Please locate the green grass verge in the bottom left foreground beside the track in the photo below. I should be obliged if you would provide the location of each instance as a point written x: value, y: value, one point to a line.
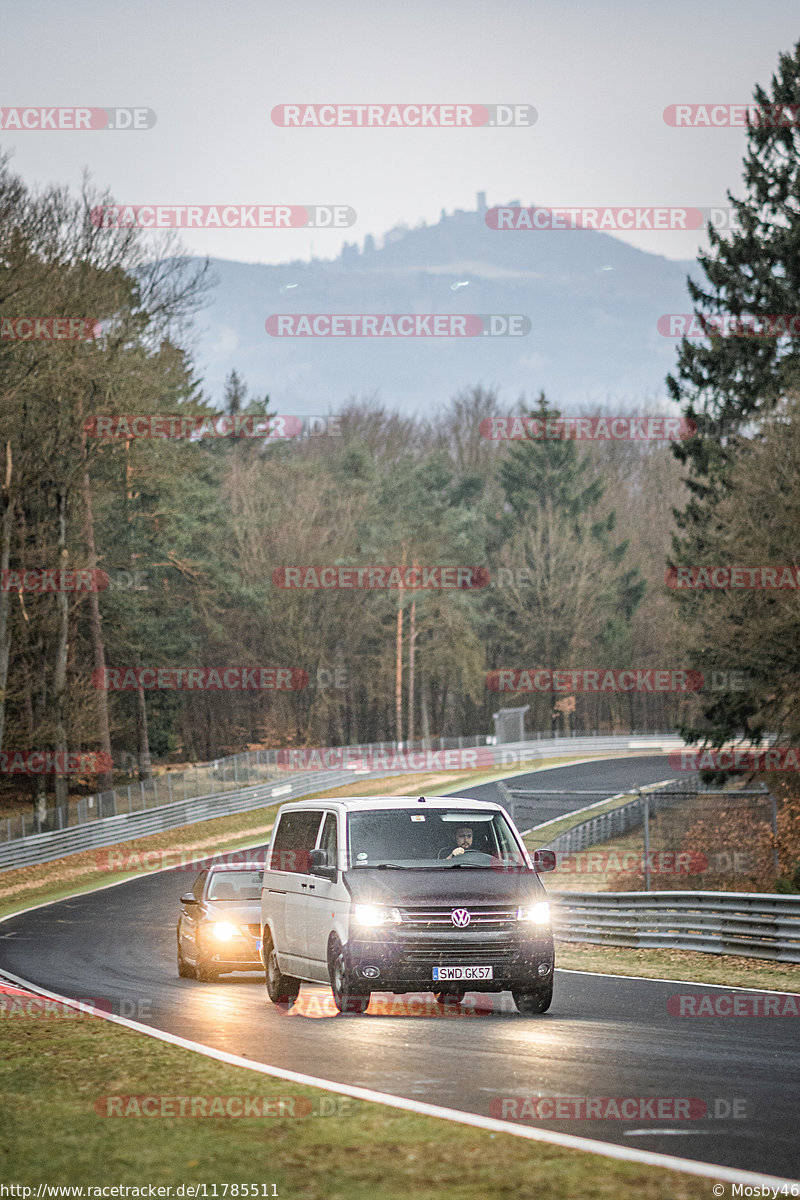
x: 56, y: 1070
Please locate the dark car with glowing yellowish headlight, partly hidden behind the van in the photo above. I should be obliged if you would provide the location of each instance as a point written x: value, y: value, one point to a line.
x: 219, y: 929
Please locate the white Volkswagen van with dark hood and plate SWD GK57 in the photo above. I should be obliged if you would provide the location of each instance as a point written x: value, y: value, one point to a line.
x: 405, y: 895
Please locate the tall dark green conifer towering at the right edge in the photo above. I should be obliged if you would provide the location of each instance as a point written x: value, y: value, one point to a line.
x: 731, y: 385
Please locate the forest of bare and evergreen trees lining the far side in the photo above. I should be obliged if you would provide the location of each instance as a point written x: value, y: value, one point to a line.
x: 576, y: 536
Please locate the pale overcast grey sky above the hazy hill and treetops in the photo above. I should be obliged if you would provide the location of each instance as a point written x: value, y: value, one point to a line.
x: 599, y: 74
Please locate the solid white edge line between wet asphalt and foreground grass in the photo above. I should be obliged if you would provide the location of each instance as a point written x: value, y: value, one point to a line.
x: 570, y: 1142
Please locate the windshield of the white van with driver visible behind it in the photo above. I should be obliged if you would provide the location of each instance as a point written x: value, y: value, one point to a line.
x: 435, y: 838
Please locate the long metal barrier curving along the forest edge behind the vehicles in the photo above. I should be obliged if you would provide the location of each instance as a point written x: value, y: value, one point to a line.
x: 109, y: 831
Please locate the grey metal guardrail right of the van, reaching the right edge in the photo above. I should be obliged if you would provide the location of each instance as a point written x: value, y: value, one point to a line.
x: 759, y: 926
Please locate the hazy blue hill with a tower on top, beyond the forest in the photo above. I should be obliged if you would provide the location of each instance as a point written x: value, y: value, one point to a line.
x: 593, y: 302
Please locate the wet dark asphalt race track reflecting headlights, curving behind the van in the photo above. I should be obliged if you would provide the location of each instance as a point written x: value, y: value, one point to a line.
x: 604, y: 1036
